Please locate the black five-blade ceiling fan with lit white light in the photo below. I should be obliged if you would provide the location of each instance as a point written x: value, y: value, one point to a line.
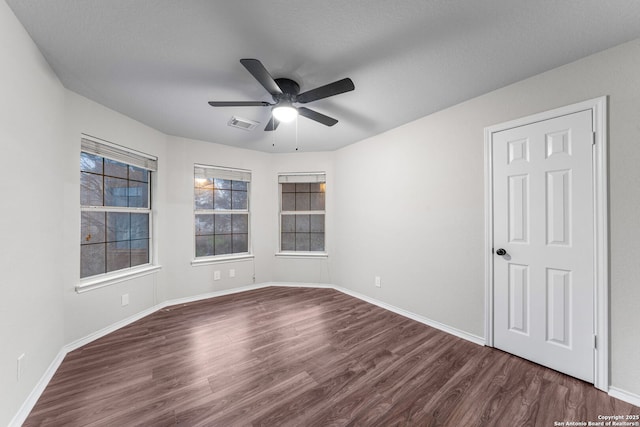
x: 285, y: 93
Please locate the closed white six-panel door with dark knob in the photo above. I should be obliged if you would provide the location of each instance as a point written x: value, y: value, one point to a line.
x: 544, y: 221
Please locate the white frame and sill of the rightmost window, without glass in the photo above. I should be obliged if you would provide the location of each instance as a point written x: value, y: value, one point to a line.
x: 301, y: 178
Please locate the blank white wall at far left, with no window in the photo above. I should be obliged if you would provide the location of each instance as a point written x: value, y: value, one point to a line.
x: 31, y: 205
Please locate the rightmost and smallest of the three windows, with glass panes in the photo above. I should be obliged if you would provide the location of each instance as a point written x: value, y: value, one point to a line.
x: 302, y: 212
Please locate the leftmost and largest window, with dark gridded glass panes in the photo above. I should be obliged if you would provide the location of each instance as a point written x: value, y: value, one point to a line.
x: 115, y: 208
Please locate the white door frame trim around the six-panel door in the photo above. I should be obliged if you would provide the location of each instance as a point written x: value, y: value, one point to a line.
x: 598, y: 108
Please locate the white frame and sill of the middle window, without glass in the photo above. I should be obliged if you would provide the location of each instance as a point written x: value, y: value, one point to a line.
x: 227, y: 173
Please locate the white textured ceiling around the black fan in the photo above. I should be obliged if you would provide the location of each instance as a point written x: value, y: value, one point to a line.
x: 160, y: 61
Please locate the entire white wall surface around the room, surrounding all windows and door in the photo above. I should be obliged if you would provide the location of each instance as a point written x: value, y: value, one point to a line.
x: 406, y: 205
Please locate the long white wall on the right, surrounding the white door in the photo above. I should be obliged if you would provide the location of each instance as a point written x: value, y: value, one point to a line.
x: 410, y: 202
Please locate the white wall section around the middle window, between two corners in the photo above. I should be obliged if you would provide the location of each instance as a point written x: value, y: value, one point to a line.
x: 185, y: 280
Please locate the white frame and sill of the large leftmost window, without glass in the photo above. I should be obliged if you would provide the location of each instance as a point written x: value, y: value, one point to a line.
x: 130, y: 157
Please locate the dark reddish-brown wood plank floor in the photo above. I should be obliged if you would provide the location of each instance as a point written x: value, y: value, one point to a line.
x: 303, y: 357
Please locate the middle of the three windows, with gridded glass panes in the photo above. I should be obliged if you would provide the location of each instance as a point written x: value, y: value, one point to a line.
x: 221, y: 211
